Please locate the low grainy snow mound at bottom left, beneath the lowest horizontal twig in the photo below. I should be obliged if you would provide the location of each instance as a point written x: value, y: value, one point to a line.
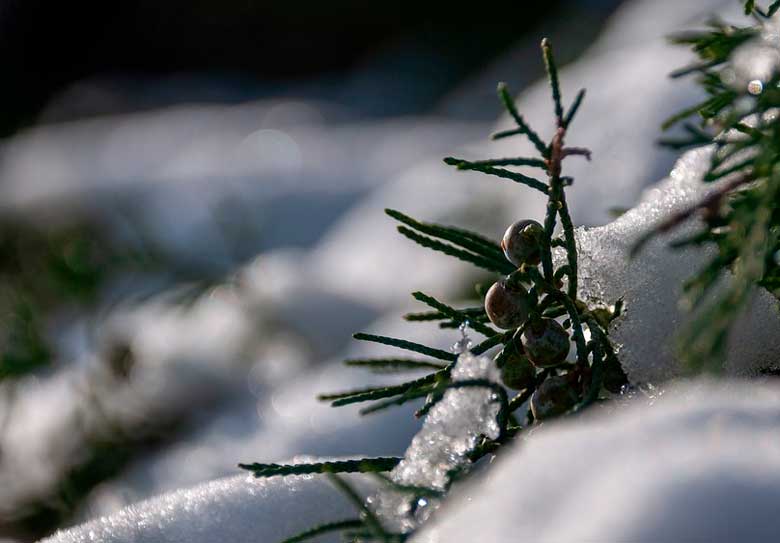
x: 235, y: 509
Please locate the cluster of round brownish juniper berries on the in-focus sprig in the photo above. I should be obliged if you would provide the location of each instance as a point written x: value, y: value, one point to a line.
x: 539, y: 343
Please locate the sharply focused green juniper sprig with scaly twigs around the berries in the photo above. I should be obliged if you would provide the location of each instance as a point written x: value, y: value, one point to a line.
x: 547, y: 294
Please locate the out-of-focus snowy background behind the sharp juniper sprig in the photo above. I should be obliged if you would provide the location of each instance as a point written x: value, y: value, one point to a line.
x: 191, y: 221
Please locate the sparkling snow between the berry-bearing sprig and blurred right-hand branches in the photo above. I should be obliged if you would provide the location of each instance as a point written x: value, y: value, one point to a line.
x: 651, y: 283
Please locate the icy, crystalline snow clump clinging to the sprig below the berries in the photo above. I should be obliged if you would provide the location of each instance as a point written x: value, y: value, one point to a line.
x: 451, y: 431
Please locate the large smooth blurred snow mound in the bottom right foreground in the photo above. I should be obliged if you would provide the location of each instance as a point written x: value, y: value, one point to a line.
x: 701, y: 464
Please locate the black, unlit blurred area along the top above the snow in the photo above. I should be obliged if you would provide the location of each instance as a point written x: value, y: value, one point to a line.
x: 256, y: 48
